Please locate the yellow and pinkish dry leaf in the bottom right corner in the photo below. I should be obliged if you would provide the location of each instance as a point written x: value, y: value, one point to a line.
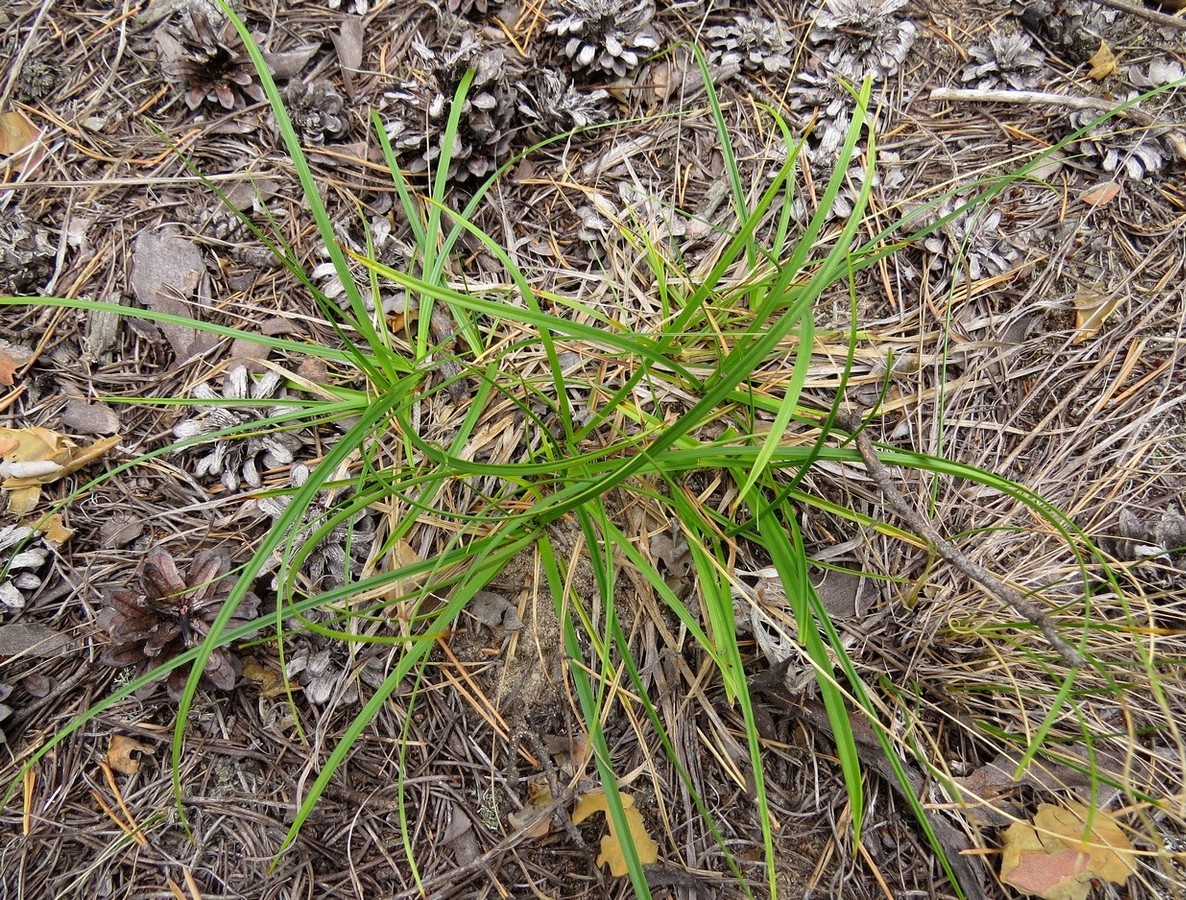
x: 1055, y: 861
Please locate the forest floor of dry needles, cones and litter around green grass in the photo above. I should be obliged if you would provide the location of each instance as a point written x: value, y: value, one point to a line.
x: 1040, y: 336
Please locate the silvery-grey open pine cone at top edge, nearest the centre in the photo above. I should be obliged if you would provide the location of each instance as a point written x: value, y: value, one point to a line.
x: 607, y: 36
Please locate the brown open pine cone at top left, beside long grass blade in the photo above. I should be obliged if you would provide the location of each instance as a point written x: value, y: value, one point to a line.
x: 211, y: 62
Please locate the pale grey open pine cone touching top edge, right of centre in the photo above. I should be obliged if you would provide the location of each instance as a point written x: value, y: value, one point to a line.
x: 863, y: 39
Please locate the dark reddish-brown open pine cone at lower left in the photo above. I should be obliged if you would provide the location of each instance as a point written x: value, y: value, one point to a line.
x: 170, y: 615
